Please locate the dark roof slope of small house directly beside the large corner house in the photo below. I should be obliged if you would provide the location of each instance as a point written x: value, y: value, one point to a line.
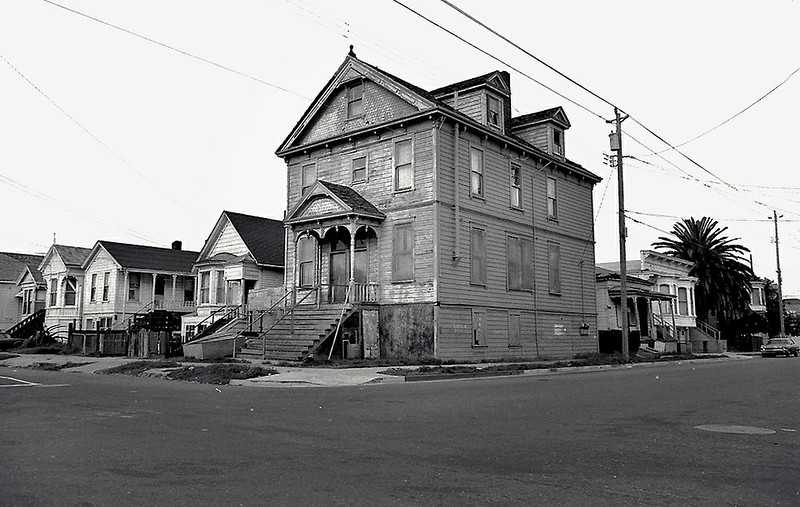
x: 263, y: 237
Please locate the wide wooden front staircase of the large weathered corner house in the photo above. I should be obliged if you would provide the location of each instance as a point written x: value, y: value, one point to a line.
x: 297, y: 335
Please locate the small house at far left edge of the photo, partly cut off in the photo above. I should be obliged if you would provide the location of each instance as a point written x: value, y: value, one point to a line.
x: 19, y: 301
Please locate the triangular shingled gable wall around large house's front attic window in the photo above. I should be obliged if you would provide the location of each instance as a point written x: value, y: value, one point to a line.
x: 380, y: 105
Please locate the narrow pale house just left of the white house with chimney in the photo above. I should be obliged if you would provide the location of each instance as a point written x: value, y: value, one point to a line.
x: 62, y: 271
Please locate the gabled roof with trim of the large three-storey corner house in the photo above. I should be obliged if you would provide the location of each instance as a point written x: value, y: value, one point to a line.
x: 426, y: 102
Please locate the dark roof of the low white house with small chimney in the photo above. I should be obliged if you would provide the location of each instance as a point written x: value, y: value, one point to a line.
x: 147, y: 258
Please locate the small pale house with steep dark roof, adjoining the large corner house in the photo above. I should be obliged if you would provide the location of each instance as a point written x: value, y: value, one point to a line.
x: 241, y: 265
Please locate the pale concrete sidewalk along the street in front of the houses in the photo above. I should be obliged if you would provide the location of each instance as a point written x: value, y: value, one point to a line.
x: 292, y: 376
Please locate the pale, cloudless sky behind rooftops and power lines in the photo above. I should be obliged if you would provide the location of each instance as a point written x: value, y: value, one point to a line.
x: 145, y: 131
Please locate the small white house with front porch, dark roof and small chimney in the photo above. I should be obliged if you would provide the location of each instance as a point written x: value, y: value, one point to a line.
x: 124, y: 281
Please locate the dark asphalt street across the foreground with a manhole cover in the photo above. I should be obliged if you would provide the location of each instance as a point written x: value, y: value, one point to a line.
x: 635, y: 436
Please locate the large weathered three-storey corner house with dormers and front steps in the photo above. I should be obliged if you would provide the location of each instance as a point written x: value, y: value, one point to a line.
x: 432, y: 224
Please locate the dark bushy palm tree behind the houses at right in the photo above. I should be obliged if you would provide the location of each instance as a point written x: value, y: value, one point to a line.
x: 723, y: 274
